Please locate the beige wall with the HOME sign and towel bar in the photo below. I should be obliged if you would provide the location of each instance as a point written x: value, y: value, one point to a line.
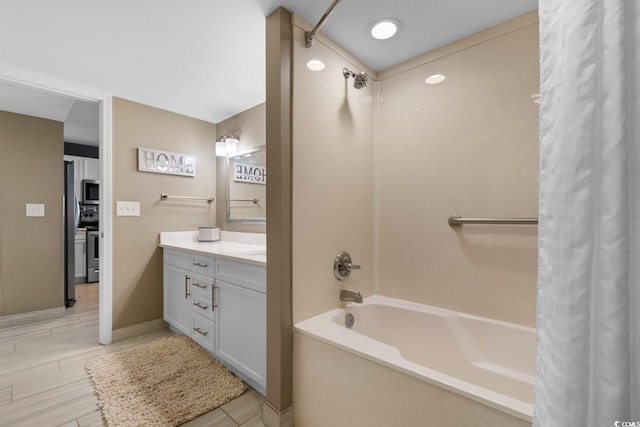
x: 137, y: 260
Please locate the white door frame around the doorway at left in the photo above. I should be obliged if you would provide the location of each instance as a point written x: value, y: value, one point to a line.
x: 77, y: 91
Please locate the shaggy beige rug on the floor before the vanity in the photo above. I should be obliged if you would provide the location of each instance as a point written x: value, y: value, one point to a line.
x: 163, y: 383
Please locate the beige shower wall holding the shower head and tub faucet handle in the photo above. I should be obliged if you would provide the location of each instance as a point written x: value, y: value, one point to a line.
x: 332, y: 177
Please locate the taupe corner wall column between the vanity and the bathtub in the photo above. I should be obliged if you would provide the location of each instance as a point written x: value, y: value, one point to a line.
x: 279, y: 36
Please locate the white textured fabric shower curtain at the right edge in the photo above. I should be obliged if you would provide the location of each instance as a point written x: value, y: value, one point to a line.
x: 588, y: 318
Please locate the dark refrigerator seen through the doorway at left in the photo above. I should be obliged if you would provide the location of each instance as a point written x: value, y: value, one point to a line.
x: 71, y: 218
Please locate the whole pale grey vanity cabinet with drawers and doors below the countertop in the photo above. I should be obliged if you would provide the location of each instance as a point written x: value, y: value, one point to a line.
x: 221, y: 305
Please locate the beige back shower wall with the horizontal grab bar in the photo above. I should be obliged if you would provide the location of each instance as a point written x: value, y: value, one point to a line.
x: 467, y: 146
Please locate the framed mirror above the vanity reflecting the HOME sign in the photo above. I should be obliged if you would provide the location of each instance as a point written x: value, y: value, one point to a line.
x: 247, y: 186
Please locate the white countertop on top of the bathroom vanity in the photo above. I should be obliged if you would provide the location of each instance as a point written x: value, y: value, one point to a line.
x: 250, y: 248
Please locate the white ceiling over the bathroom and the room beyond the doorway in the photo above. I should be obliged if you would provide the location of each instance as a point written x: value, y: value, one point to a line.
x: 202, y: 58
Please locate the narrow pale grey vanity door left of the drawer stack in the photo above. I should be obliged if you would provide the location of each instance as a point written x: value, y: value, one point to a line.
x: 177, y: 298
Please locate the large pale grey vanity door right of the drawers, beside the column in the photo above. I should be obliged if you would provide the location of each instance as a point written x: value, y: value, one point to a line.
x: 241, y: 336
